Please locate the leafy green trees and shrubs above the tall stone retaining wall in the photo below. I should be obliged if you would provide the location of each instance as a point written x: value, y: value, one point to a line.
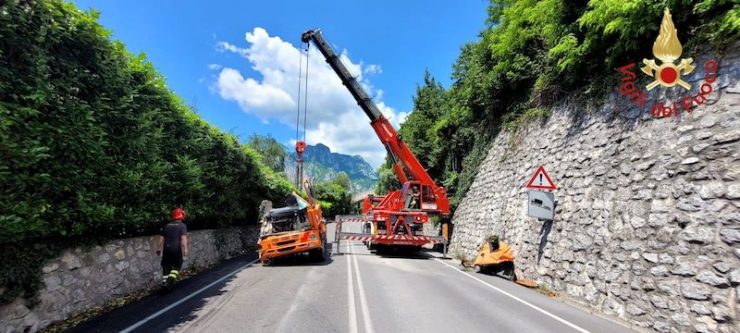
x: 531, y: 55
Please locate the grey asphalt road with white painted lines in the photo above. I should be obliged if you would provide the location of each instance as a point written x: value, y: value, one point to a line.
x: 353, y: 292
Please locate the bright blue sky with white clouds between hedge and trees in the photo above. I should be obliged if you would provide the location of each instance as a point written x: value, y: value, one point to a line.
x: 236, y: 62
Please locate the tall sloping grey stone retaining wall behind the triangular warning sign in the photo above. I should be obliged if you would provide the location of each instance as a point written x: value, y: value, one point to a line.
x: 647, y: 221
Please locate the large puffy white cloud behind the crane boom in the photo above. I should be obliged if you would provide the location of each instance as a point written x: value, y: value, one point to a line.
x: 333, y: 116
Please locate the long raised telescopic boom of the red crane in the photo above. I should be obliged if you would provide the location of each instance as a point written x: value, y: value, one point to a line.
x: 397, y: 149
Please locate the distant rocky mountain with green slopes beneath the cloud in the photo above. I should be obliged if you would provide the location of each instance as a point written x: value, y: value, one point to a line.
x: 320, y: 164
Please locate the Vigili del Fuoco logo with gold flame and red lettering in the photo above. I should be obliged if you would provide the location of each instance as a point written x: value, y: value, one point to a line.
x: 667, y: 48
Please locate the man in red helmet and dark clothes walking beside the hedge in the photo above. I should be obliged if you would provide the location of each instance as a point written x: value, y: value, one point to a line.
x: 173, y: 245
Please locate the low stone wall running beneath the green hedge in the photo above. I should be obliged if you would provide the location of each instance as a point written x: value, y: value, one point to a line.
x: 82, y: 279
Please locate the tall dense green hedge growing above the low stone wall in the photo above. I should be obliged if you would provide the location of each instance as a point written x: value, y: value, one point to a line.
x: 95, y: 146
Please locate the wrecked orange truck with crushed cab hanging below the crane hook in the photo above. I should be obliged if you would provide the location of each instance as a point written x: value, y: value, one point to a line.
x: 294, y: 229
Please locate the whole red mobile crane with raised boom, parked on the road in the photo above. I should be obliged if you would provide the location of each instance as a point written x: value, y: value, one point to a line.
x: 397, y: 218
